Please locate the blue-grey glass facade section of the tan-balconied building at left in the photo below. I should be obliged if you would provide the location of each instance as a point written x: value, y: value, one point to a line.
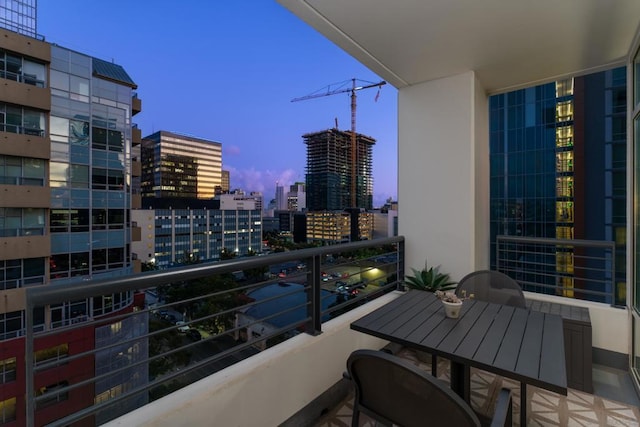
x: 90, y: 167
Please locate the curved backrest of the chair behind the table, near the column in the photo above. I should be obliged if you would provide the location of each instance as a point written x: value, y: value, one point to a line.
x: 491, y: 286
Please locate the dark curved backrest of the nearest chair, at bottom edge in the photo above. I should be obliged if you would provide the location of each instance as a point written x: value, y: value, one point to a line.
x: 392, y: 390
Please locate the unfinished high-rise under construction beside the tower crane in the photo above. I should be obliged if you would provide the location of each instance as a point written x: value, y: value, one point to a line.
x: 333, y: 170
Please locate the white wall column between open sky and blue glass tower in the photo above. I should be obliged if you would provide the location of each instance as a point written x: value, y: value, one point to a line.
x: 443, y: 174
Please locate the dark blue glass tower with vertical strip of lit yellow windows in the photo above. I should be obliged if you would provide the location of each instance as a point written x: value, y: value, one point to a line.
x: 558, y: 167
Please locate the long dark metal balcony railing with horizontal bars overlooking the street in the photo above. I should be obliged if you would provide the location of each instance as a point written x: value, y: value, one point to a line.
x: 196, y: 320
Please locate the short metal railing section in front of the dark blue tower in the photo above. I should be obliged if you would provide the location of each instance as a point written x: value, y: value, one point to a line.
x: 572, y: 268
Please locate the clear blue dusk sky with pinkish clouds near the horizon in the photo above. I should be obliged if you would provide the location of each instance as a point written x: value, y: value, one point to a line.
x: 226, y: 71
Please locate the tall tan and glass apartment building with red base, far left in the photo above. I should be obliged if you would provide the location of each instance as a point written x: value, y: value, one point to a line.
x: 66, y: 167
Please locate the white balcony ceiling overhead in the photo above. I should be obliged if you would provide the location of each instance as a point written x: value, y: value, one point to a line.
x: 509, y: 43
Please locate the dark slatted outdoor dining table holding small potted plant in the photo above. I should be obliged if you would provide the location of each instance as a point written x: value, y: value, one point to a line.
x: 516, y: 343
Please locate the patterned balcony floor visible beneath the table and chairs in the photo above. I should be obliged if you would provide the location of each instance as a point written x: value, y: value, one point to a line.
x: 614, y: 402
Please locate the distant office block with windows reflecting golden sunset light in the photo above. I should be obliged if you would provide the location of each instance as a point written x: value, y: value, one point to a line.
x: 175, y: 165
